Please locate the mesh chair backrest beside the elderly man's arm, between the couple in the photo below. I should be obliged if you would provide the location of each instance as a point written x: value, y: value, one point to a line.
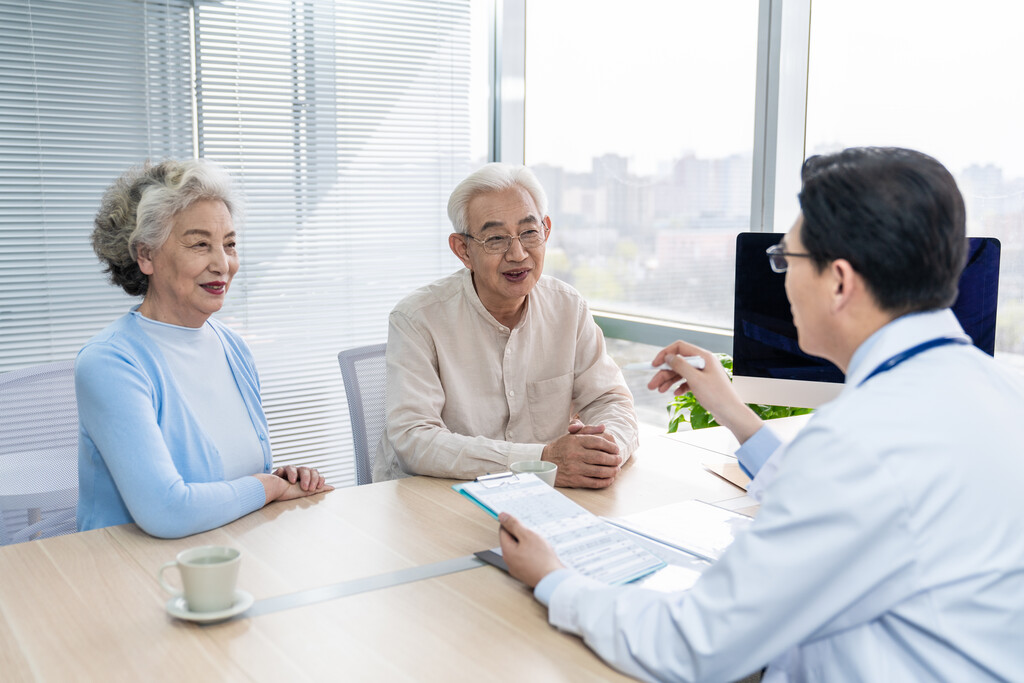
x: 364, y: 370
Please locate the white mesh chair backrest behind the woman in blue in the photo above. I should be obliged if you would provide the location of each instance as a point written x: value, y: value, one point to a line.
x: 38, y: 452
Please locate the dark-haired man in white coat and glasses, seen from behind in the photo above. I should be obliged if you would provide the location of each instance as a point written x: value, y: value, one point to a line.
x: 888, y: 545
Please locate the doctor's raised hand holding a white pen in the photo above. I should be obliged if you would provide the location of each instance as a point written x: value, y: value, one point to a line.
x: 711, y: 387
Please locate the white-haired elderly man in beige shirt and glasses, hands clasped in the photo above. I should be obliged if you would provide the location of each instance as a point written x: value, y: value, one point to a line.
x: 498, y: 363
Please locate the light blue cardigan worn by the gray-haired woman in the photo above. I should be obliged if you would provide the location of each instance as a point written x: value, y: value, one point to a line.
x: 143, y: 456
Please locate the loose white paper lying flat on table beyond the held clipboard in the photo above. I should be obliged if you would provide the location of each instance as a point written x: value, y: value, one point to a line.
x: 695, y: 527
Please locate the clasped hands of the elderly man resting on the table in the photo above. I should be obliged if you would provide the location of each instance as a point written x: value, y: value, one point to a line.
x: 587, y: 457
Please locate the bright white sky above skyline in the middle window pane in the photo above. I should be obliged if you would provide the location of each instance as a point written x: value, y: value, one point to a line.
x: 653, y: 82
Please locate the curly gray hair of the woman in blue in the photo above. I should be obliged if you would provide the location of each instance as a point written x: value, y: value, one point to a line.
x: 139, y: 209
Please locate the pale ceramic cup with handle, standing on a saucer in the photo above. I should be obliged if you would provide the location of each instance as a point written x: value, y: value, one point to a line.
x: 208, y: 575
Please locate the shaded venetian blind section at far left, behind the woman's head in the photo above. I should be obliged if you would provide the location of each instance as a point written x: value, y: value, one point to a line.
x: 87, y: 91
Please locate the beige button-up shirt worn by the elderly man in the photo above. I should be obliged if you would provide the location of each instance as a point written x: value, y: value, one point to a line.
x: 467, y: 397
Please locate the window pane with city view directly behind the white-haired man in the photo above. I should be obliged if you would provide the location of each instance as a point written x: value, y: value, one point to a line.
x: 639, y: 123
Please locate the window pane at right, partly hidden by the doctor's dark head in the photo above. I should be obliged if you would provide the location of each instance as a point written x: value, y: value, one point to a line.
x: 943, y: 79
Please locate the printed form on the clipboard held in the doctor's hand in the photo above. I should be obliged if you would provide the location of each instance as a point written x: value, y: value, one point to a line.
x: 582, y: 540
